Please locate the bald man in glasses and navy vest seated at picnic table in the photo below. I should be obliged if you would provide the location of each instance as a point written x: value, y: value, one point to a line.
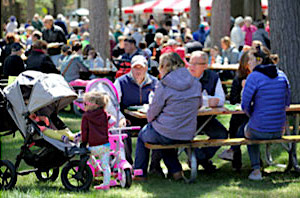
x: 213, y: 96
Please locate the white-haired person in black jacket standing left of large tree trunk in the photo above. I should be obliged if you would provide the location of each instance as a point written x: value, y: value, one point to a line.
x: 55, y: 35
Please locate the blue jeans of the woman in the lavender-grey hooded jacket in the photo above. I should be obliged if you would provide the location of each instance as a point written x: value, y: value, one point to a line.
x: 150, y: 135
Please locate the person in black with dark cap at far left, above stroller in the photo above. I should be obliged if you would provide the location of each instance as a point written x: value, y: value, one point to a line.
x: 13, y: 64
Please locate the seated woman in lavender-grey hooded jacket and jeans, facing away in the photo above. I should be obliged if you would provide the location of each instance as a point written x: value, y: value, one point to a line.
x: 172, y: 115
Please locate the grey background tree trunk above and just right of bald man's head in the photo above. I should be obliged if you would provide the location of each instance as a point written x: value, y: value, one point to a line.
x: 220, y: 23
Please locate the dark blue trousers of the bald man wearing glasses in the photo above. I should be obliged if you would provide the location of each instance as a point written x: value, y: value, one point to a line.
x: 215, y: 130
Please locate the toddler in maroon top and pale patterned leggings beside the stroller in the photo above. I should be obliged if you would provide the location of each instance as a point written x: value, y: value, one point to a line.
x: 94, y: 131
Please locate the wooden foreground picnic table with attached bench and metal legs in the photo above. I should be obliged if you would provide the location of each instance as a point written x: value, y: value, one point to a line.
x: 288, y: 142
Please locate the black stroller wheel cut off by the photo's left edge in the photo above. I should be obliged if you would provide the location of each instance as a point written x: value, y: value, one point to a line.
x: 8, y: 176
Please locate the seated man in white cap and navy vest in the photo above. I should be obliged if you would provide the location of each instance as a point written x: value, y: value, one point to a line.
x: 134, y: 89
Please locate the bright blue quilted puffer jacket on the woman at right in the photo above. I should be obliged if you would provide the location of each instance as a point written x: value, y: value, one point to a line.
x: 268, y: 111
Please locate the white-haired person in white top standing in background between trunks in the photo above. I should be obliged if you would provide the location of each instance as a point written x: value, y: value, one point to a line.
x: 237, y: 35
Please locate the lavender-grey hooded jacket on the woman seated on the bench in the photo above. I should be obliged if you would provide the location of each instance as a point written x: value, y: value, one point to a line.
x: 173, y: 111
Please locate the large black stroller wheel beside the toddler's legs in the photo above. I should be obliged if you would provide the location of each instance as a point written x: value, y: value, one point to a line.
x: 73, y: 180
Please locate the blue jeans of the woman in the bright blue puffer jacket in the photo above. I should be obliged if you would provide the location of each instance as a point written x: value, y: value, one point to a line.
x: 253, y: 149
